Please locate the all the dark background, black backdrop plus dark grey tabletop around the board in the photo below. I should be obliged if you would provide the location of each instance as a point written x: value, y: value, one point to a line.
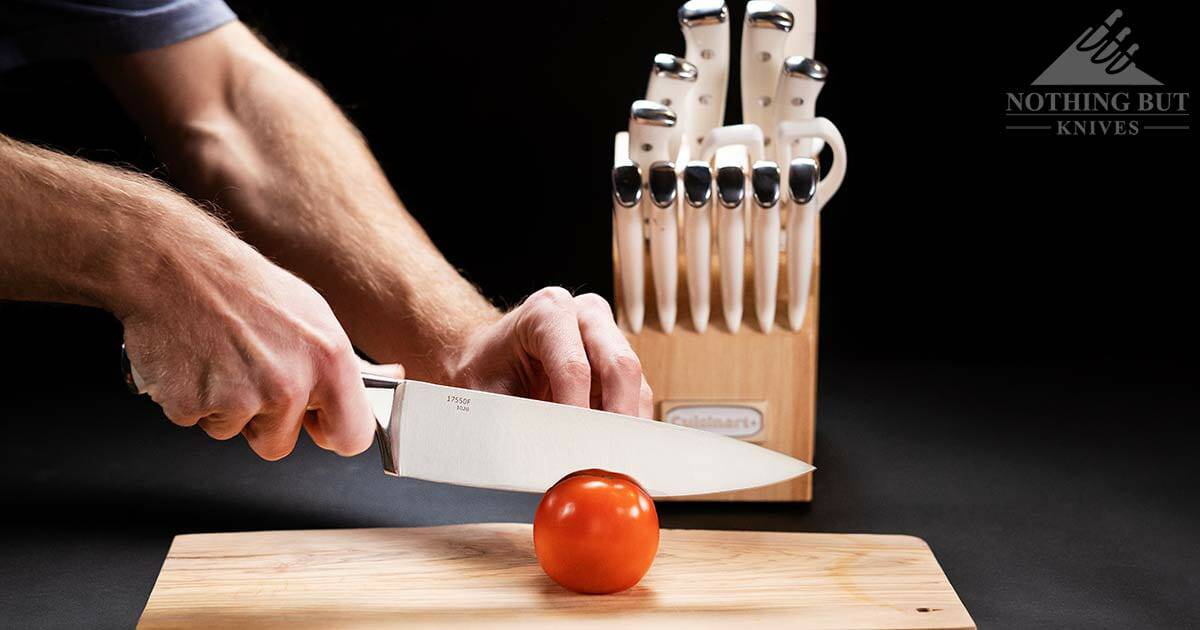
x: 1007, y: 319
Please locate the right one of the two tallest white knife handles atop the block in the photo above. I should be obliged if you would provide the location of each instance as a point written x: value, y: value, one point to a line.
x: 764, y: 37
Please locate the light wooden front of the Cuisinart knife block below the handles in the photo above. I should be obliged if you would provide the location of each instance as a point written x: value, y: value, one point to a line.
x: 773, y: 373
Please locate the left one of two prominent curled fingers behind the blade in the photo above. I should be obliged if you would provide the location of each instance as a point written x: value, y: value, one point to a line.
x: 549, y: 332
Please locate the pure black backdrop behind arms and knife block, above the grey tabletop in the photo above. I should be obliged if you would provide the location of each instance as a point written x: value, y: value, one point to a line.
x: 951, y: 239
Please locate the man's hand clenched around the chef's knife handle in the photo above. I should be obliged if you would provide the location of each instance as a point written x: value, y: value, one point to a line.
x: 242, y: 347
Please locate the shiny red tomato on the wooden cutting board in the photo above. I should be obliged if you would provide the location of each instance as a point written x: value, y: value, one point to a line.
x: 596, y: 532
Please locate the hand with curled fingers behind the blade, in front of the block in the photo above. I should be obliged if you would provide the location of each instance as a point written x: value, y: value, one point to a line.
x: 557, y: 349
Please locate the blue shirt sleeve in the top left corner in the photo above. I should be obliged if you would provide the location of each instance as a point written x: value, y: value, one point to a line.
x: 32, y: 31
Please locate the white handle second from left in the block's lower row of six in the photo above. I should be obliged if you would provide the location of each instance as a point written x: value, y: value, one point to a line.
x: 664, y: 188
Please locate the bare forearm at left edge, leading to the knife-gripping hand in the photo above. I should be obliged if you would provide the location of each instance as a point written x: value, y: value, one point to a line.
x: 85, y: 233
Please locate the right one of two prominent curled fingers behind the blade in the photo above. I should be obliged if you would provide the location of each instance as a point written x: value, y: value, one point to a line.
x: 611, y: 357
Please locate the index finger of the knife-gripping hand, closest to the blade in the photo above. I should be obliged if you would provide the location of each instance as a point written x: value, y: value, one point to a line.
x: 344, y: 422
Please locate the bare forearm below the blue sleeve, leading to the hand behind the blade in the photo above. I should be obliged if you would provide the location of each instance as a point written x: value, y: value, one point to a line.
x: 301, y: 184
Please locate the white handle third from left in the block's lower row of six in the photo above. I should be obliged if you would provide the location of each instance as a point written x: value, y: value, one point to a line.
x: 698, y: 188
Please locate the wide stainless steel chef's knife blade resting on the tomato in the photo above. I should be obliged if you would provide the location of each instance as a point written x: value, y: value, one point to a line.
x: 476, y: 439
